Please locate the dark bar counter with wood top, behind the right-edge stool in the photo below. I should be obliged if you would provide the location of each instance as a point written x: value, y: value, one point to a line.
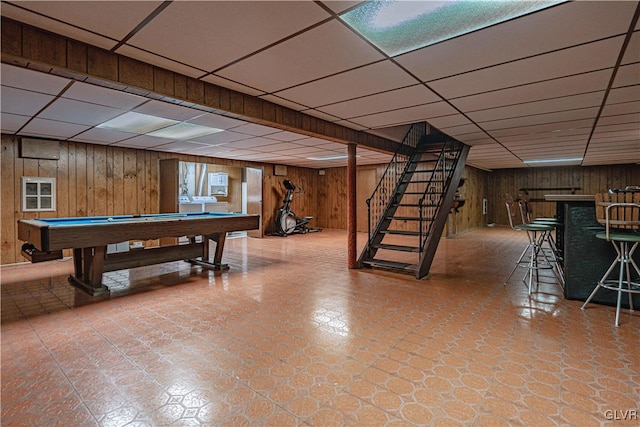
x: 585, y: 258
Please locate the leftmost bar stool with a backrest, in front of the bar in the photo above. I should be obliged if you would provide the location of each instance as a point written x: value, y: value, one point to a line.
x: 533, y: 248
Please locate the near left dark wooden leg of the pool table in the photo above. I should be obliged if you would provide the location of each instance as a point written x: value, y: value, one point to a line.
x: 88, y: 265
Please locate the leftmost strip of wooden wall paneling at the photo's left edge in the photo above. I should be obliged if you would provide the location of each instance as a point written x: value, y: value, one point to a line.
x: 8, y: 177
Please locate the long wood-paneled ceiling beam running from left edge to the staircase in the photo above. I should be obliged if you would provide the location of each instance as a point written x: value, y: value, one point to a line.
x: 30, y: 47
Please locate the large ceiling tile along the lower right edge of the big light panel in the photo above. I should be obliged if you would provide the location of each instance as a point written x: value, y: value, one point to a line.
x: 533, y: 34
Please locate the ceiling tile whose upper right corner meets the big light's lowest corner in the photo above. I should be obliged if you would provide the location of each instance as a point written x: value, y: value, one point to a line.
x: 375, y: 78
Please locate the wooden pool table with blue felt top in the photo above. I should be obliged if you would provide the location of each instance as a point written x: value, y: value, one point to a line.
x: 89, y: 237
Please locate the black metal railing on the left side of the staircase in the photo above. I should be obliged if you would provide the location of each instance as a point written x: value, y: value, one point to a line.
x: 384, y: 192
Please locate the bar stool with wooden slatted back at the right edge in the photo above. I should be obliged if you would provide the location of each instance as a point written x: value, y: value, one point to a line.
x: 620, y: 214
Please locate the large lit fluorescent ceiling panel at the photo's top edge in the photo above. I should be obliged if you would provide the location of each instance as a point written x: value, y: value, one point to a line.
x: 398, y: 27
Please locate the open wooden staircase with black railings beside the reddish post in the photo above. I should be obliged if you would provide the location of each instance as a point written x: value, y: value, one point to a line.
x: 409, y: 207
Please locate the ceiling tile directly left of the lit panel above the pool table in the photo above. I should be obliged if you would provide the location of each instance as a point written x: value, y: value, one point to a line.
x: 82, y: 113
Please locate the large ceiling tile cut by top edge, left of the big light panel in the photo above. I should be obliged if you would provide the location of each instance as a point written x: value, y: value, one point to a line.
x: 214, y: 33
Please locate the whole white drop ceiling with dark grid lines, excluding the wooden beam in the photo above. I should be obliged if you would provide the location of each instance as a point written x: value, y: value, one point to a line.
x: 563, y: 82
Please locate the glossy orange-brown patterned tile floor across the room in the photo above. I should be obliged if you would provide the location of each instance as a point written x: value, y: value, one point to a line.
x: 290, y: 336
